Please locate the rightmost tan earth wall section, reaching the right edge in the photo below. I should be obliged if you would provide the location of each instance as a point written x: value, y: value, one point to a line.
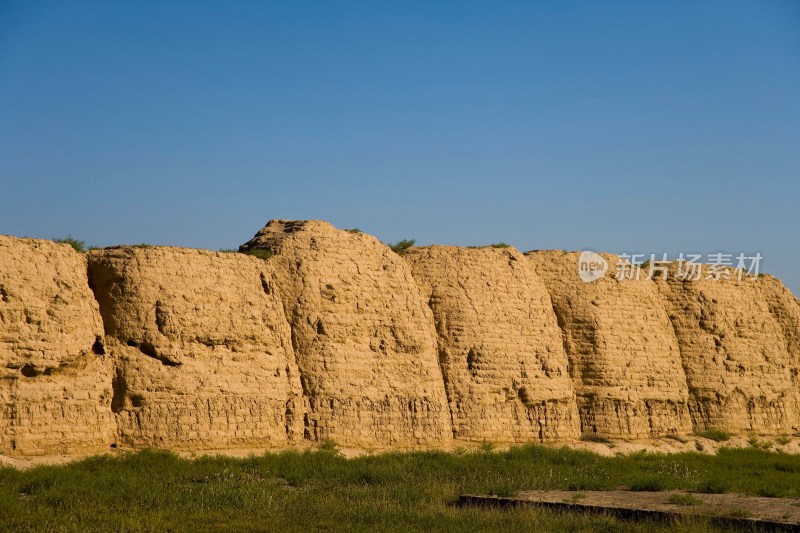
x: 738, y: 342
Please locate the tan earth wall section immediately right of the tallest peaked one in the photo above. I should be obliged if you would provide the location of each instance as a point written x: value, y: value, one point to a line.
x: 500, y: 348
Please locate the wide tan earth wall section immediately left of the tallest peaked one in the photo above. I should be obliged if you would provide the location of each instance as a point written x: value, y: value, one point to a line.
x: 202, y: 349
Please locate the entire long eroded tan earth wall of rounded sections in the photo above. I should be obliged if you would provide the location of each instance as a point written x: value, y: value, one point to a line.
x: 329, y: 334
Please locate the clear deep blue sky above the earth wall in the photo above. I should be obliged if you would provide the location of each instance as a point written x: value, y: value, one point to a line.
x: 616, y: 126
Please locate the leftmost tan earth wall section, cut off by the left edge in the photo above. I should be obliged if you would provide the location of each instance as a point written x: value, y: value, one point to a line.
x: 55, y: 376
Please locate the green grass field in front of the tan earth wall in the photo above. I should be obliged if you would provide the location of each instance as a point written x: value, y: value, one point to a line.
x: 302, y: 491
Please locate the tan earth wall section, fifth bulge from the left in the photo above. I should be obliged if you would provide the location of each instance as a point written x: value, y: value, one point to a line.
x: 624, y: 357
